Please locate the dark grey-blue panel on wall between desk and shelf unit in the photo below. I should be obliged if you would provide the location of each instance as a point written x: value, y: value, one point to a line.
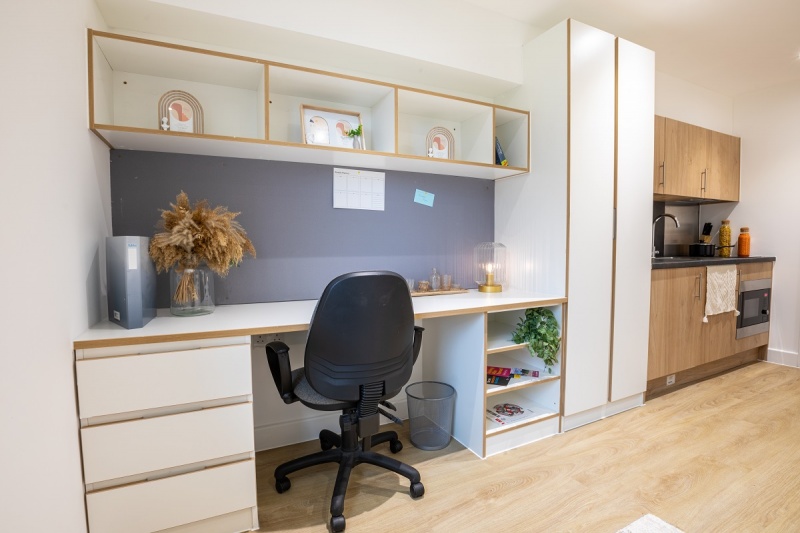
x: 301, y: 241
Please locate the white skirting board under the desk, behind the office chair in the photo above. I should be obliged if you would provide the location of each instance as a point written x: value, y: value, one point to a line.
x: 269, y: 436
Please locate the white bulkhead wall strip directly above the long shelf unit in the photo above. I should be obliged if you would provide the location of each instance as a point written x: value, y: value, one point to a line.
x: 471, y: 39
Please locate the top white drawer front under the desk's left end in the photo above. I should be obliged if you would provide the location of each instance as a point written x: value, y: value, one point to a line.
x: 135, y: 382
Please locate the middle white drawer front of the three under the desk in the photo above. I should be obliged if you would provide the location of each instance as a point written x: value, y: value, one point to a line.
x: 113, y: 451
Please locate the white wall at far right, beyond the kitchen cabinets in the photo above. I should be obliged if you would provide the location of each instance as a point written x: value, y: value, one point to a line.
x: 768, y: 124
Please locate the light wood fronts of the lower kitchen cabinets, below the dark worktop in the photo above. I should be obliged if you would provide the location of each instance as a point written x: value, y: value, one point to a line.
x: 679, y: 339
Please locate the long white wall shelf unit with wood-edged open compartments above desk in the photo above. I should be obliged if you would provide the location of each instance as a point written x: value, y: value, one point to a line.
x: 252, y: 109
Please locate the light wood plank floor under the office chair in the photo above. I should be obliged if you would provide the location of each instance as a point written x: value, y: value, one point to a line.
x: 718, y: 456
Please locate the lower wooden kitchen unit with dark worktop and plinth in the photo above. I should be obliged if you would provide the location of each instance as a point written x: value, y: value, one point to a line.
x: 684, y: 349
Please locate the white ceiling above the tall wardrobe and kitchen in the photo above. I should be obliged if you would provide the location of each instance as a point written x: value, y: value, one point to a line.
x: 727, y: 46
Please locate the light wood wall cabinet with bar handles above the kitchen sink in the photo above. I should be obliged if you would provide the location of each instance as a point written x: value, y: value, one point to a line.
x: 694, y: 163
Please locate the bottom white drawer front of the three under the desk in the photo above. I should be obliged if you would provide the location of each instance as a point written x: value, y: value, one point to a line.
x: 170, y: 502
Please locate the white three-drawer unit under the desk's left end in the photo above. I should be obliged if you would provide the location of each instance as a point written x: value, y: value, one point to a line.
x: 167, y: 437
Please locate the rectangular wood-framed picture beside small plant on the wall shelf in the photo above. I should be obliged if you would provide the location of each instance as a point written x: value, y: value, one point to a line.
x: 330, y: 127
